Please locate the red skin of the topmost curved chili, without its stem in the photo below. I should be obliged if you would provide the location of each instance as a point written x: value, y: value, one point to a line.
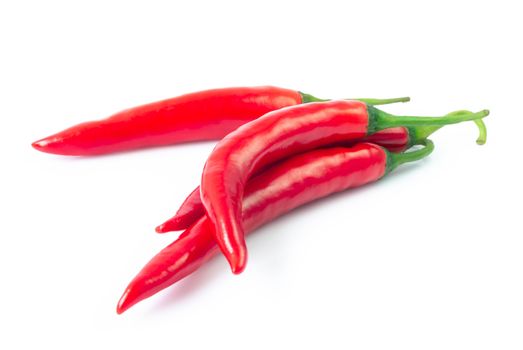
x: 270, y: 138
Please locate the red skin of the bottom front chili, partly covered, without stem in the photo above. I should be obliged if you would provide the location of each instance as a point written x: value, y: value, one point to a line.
x: 283, y: 187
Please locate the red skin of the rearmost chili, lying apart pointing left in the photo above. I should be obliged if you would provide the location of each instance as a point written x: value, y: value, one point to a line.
x: 204, y: 115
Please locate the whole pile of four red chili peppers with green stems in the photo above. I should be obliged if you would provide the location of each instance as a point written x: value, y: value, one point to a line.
x: 279, y: 149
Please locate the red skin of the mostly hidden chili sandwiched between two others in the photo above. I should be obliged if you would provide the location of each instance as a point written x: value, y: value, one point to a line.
x: 393, y: 139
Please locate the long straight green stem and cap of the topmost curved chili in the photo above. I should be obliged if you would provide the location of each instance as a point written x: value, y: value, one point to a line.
x: 379, y: 120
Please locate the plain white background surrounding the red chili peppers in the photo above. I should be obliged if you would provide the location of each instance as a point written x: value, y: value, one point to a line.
x: 429, y: 258
